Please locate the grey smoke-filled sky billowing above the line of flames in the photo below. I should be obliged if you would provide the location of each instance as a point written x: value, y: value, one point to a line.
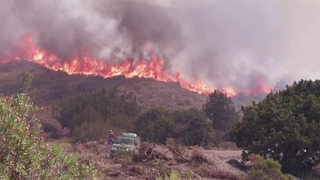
x: 221, y: 42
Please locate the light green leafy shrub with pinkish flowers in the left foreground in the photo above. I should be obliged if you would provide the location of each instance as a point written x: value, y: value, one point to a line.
x: 24, y: 155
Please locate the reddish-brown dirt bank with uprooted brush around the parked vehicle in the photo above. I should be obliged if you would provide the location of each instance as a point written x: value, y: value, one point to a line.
x: 158, y: 161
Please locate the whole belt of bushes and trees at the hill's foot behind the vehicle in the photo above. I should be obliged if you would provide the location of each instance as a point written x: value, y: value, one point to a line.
x: 91, y: 115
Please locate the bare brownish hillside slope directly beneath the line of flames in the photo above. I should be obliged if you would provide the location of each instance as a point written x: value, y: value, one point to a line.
x: 49, y: 87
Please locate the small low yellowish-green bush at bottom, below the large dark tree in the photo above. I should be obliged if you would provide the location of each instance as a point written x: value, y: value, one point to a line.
x: 267, y: 169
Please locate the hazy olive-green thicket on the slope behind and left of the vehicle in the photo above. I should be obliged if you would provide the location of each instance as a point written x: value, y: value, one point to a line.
x: 90, y: 116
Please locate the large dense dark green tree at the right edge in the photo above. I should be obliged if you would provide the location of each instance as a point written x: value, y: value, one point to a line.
x: 284, y: 126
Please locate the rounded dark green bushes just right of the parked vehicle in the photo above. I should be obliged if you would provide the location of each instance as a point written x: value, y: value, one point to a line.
x: 189, y: 127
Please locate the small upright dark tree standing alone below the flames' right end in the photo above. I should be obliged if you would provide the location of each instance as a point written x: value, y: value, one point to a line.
x: 219, y: 108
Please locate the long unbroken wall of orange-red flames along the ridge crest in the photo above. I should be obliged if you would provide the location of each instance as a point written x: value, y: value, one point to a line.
x: 87, y: 65
